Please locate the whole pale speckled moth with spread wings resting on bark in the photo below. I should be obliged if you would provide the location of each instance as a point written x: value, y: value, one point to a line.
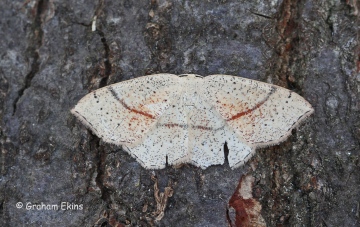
x: 167, y: 119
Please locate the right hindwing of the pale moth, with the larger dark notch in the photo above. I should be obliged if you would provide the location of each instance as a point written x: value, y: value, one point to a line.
x: 208, y: 132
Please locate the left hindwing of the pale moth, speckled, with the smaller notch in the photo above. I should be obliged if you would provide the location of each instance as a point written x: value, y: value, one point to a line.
x: 167, y: 142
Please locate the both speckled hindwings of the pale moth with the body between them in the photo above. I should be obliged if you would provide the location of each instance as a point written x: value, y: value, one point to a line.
x: 192, y: 131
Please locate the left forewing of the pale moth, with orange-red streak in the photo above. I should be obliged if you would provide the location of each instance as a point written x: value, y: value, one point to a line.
x: 123, y: 113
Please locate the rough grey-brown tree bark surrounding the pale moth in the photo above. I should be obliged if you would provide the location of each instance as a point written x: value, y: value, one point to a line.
x: 50, y: 58
